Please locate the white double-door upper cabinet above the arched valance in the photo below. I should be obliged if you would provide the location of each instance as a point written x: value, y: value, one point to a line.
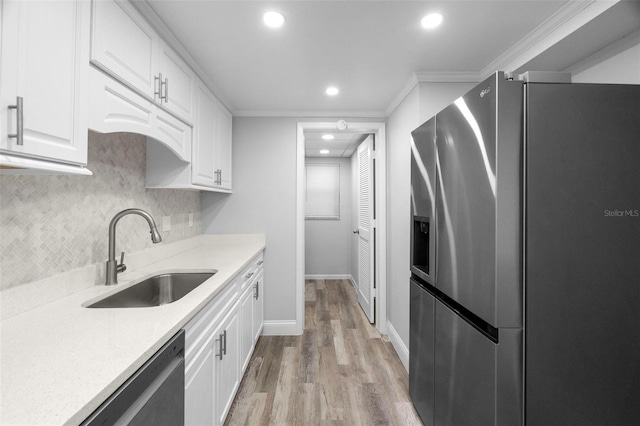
x: 125, y: 46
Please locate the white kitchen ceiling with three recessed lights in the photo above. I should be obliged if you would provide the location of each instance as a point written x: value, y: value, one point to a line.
x: 373, y: 51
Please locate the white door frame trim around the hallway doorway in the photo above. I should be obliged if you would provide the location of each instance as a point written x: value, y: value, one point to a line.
x: 378, y: 219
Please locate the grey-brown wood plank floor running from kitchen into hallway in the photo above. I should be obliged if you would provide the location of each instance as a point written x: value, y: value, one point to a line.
x: 341, y: 371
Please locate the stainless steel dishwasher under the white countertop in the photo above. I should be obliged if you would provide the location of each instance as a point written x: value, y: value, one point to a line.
x: 153, y: 395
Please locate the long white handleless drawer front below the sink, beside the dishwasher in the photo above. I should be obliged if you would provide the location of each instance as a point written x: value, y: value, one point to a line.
x: 197, y: 330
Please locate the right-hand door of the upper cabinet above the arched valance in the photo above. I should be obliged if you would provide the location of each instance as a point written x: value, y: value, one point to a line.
x: 178, y: 84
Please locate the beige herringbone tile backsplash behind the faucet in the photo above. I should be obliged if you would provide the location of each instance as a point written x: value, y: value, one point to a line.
x: 52, y: 224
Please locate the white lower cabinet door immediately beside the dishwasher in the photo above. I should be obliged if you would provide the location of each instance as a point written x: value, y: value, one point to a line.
x: 199, y: 388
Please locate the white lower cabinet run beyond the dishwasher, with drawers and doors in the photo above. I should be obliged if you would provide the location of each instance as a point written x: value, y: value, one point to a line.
x: 219, y: 342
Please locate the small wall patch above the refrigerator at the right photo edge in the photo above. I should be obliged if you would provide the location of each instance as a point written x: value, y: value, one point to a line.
x: 617, y: 63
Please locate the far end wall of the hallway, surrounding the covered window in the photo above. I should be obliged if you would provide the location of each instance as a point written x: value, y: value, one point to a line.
x: 328, y: 242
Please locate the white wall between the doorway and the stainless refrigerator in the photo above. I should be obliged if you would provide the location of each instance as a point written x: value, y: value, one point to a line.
x: 424, y: 101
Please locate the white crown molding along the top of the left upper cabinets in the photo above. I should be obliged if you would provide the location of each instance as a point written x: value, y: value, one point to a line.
x: 169, y: 37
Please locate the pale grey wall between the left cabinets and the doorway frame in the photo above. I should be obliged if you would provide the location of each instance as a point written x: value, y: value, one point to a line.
x: 264, y: 201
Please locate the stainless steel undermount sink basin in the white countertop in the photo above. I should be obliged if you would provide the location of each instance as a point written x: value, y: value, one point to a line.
x: 155, y: 291
